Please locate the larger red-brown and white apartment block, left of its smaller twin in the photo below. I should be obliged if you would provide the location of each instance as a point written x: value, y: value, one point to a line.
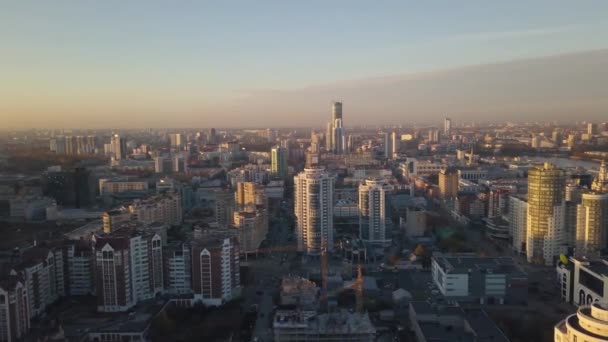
x: 128, y: 268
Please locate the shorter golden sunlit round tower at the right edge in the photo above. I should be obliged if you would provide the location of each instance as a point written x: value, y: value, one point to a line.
x: 591, y: 225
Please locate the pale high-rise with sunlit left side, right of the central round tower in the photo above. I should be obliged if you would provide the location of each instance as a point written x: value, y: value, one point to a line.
x: 374, y: 220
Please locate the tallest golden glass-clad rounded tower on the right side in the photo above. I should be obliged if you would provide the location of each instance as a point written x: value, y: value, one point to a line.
x: 546, y: 214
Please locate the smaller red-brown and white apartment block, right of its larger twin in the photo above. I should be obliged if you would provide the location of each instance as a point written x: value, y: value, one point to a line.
x: 215, y: 268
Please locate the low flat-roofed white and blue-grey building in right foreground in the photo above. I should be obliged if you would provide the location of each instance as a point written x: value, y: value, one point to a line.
x: 485, y: 280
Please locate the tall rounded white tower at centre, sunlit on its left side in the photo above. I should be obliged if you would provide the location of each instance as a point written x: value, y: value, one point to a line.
x: 313, y: 192
